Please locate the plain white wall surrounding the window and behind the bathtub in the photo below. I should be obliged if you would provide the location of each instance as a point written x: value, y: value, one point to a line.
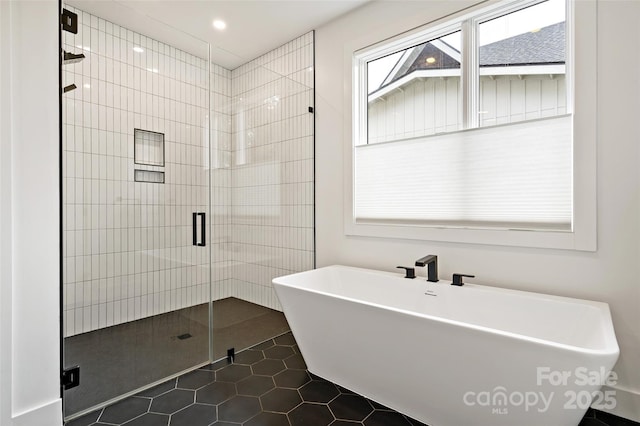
x: 611, y: 274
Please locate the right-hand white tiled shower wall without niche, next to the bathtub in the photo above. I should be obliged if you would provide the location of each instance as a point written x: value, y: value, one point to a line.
x: 272, y: 170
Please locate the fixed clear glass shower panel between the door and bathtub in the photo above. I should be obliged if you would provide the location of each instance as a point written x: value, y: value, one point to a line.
x: 262, y: 151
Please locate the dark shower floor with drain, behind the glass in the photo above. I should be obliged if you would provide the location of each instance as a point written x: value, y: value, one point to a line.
x: 119, y: 359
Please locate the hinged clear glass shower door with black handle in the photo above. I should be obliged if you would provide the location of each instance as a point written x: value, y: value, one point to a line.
x: 136, y: 278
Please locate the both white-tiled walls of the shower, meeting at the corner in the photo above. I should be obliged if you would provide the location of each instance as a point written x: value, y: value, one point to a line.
x: 127, y: 249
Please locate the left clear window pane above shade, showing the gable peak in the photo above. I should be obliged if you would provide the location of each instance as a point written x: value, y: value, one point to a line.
x: 415, y: 92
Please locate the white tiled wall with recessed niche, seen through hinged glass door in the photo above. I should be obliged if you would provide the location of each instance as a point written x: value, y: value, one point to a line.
x: 127, y: 249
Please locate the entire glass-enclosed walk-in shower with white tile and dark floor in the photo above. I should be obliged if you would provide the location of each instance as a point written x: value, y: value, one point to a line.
x: 186, y: 188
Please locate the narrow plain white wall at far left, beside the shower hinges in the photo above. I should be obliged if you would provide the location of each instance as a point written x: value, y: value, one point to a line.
x: 29, y: 215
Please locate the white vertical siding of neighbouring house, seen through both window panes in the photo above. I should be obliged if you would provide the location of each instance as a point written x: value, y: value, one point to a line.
x: 432, y: 105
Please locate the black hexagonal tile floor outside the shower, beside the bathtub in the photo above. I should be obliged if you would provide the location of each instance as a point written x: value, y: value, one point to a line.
x: 267, y: 385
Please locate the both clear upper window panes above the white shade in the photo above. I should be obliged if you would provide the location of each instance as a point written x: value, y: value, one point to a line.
x: 513, y: 58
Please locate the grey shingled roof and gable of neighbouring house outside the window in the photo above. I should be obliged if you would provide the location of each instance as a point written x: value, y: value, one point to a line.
x: 543, y: 47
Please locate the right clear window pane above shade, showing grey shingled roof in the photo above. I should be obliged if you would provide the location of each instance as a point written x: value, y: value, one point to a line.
x: 522, y: 64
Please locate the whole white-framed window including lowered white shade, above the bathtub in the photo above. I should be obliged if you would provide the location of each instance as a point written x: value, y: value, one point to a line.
x: 466, y: 129
